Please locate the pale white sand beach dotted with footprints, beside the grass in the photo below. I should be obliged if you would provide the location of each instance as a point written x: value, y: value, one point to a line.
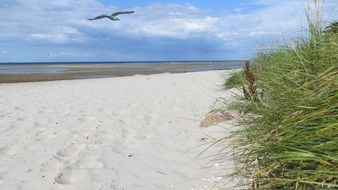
x: 127, y: 133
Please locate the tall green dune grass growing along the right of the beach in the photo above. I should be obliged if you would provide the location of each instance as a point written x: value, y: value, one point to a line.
x: 291, y: 139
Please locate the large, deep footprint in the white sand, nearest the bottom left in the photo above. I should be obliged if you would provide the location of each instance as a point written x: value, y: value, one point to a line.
x: 69, y: 176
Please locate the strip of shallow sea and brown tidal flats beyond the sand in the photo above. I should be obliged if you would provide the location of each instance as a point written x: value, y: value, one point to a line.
x: 50, y: 72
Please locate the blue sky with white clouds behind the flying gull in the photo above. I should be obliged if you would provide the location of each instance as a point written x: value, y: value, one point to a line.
x: 58, y: 30
